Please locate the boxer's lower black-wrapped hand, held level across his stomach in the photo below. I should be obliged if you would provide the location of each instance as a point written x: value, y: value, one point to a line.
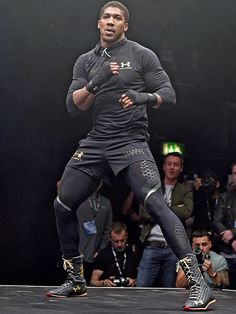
x: 135, y: 98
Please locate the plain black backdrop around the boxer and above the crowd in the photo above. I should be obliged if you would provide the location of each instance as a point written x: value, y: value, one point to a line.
x: 39, y: 43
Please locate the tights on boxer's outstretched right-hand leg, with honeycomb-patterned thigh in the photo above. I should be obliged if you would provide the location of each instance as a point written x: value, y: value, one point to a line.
x: 144, y: 179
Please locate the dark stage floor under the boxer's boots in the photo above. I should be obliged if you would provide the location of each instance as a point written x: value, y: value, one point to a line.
x: 33, y: 300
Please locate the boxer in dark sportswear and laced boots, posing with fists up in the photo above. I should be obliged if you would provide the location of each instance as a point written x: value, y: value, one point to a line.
x: 118, y: 79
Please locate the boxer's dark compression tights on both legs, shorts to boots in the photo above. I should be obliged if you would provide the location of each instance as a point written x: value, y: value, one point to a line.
x: 143, y: 178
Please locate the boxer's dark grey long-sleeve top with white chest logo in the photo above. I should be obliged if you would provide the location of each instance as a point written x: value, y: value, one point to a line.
x: 140, y: 70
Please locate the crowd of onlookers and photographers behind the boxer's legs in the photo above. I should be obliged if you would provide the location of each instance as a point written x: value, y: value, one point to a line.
x: 111, y: 258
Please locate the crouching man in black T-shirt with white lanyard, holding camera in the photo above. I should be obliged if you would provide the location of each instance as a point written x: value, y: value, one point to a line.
x: 116, y: 264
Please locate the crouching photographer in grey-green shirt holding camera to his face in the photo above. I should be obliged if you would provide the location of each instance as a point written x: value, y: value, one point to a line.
x: 213, y: 266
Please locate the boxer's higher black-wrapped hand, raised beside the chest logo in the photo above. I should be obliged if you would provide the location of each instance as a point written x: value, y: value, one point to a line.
x: 108, y: 69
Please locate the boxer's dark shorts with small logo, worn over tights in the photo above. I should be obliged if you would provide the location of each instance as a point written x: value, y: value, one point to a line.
x: 96, y: 157
